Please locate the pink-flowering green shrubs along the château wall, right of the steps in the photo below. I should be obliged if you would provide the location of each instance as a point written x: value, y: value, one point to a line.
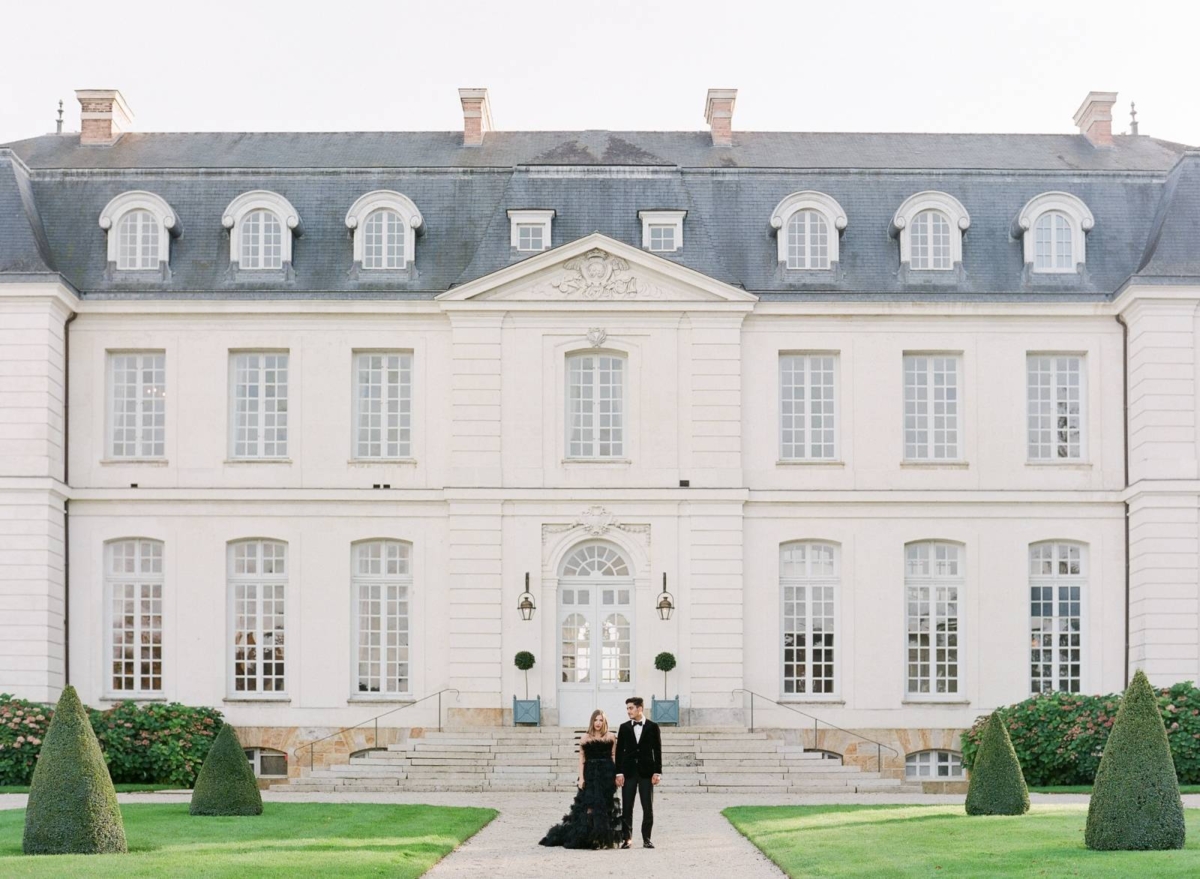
x: 1060, y: 738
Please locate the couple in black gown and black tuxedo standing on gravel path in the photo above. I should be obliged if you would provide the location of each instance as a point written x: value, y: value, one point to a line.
x: 631, y: 761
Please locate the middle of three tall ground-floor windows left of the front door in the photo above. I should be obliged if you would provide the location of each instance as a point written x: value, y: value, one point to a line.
x: 259, y: 581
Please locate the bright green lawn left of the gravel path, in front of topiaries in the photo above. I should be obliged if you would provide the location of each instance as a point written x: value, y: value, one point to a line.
x: 289, y: 840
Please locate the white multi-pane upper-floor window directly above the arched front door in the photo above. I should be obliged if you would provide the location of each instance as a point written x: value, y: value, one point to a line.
x: 596, y: 406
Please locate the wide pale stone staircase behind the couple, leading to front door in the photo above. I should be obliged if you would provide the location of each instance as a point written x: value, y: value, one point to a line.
x: 513, y: 760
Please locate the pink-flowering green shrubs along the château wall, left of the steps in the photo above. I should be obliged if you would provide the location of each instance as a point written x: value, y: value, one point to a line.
x: 153, y: 744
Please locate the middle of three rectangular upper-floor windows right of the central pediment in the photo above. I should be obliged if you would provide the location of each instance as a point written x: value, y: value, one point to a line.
x: 932, y: 408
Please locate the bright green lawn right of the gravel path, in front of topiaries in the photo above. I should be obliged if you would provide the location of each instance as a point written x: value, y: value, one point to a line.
x: 887, y: 842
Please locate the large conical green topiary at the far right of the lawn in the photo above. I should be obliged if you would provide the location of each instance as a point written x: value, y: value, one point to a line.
x: 1136, y: 799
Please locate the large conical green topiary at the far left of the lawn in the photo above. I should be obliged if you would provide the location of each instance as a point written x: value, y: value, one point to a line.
x: 73, y: 805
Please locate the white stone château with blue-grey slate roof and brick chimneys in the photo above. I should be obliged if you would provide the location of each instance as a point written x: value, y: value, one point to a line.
x: 907, y: 424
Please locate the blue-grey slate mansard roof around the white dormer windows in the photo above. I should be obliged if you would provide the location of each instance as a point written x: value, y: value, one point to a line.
x: 1143, y: 193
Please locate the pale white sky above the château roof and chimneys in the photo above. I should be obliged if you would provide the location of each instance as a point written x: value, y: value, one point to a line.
x: 362, y: 65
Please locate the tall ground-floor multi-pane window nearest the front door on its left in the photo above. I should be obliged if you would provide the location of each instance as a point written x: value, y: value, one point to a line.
x: 383, y: 587
